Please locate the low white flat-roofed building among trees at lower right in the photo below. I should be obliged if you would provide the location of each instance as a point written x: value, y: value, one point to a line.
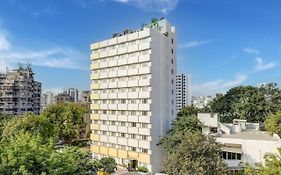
x: 242, y: 142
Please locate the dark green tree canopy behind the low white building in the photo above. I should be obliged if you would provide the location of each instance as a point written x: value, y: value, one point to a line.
x: 247, y: 102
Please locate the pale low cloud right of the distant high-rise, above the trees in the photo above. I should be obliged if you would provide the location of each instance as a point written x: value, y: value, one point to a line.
x: 217, y: 86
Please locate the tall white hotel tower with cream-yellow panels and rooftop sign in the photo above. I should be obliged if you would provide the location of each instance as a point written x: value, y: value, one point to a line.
x: 133, y: 92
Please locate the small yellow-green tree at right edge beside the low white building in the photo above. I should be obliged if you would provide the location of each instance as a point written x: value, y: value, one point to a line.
x: 273, y: 123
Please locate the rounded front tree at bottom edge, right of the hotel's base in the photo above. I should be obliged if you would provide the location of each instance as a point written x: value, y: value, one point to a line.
x: 196, y: 154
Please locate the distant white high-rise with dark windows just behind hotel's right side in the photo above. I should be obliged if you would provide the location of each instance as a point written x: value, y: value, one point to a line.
x: 183, y: 91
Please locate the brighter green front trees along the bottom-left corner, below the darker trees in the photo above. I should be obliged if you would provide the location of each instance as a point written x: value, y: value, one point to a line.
x: 25, y: 154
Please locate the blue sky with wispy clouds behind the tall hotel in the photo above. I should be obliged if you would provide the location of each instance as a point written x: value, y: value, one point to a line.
x: 221, y: 43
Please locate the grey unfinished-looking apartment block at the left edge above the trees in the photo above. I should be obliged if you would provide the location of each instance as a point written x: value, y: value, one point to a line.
x: 19, y: 92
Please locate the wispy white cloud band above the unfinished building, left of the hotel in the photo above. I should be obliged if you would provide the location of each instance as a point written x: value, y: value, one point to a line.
x: 56, y: 57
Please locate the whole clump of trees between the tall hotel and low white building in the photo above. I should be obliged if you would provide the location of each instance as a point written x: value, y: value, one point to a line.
x: 188, y: 151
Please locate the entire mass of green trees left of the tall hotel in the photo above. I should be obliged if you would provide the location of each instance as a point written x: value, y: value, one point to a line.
x: 28, y: 144
